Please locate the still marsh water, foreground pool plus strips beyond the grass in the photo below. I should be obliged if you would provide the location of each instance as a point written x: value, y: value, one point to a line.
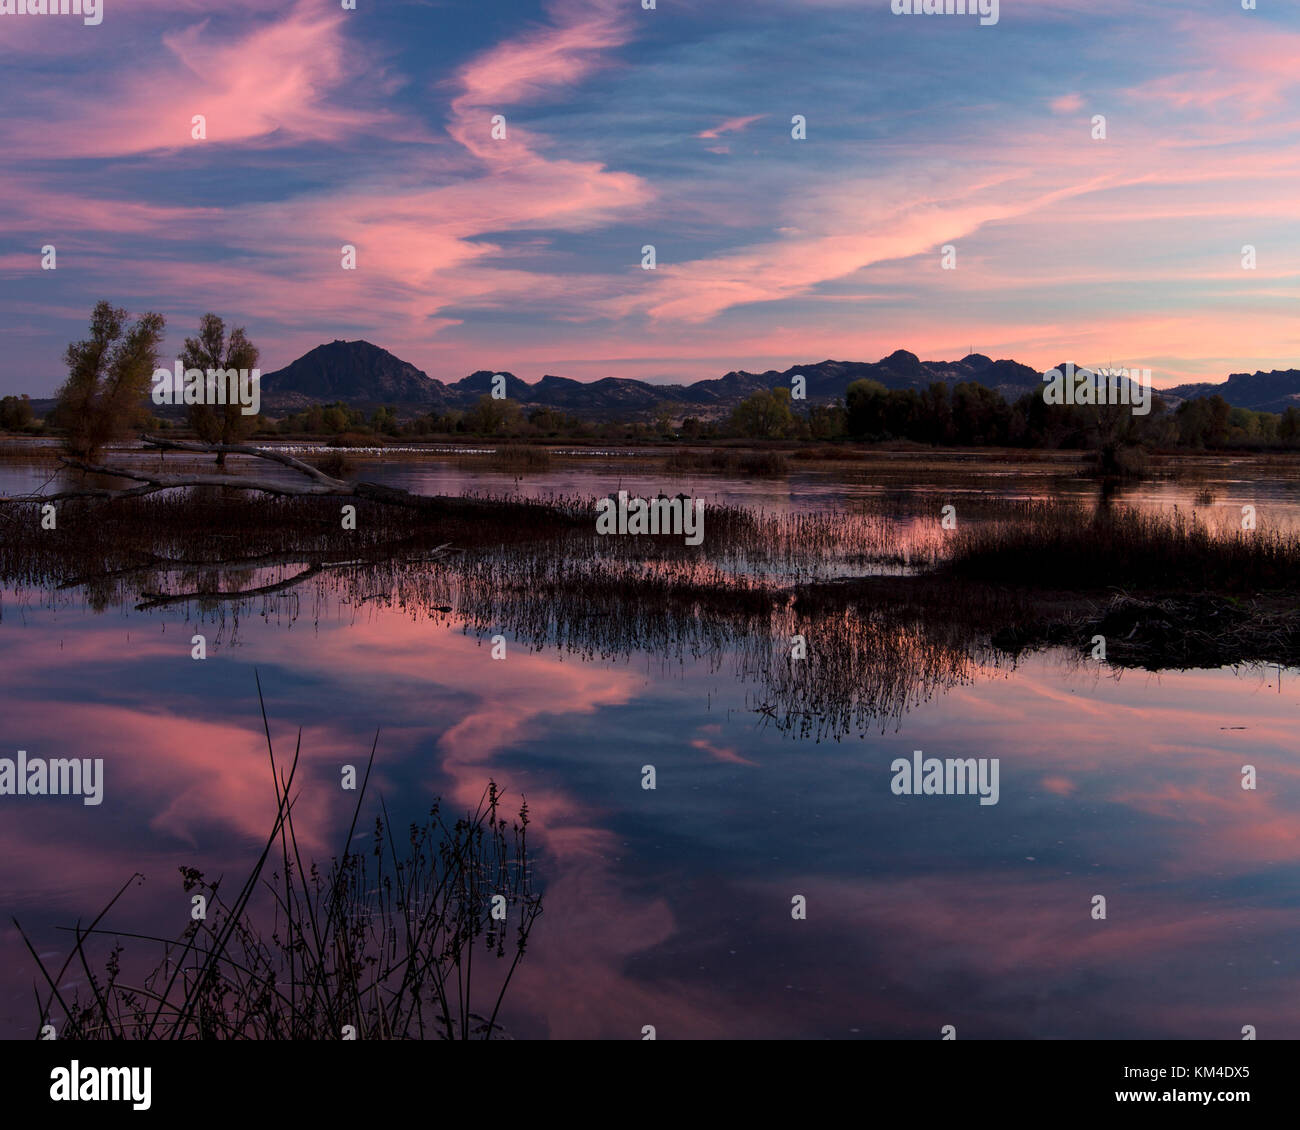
x: 674, y: 907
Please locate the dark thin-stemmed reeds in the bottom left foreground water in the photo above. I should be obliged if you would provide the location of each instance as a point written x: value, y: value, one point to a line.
x: 382, y: 945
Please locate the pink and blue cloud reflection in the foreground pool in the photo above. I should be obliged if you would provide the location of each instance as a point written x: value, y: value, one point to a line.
x: 673, y: 907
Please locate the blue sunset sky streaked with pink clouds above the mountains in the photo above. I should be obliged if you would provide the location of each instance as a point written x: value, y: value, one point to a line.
x: 671, y: 127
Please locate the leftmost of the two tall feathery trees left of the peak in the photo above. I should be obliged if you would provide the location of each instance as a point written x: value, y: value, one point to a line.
x: 110, y: 375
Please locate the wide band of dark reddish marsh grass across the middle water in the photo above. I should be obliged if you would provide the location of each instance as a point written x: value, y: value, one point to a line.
x: 899, y: 607
